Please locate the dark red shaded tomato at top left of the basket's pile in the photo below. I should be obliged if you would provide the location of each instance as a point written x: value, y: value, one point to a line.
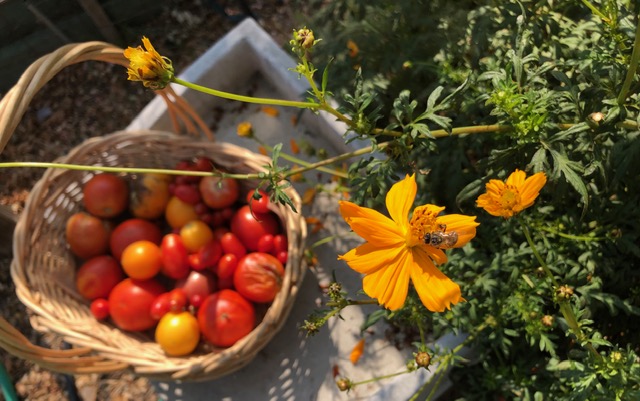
x: 105, y: 195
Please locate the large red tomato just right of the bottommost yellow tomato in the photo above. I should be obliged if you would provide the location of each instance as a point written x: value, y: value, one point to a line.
x: 225, y: 317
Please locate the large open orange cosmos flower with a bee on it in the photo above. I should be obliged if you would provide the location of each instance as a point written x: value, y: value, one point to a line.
x: 399, y: 250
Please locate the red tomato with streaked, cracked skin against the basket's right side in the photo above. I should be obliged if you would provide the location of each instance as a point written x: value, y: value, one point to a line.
x: 258, y: 277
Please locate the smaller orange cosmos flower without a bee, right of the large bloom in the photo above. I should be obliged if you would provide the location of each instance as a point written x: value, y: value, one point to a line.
x: 512, y: 196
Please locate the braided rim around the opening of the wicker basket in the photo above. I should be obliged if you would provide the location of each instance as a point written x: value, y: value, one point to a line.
x: 193, y: 367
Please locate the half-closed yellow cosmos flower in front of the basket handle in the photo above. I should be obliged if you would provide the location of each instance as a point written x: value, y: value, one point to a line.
x: 148, y: 66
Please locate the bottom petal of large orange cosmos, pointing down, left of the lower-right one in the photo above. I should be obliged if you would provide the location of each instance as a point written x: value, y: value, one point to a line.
x: 391, y: 284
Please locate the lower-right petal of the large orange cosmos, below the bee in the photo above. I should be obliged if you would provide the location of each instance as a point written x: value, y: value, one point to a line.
x: 436, y: 291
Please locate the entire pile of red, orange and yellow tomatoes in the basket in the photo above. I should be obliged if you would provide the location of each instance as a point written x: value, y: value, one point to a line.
x: 185, y: 257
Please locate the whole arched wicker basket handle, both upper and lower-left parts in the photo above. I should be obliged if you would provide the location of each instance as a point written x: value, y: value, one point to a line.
x: 12, y: 107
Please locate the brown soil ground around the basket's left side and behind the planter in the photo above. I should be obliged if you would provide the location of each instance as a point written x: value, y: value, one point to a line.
x: 91, y: 99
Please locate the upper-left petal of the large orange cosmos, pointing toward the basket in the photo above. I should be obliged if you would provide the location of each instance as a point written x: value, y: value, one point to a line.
x: 371, y: 225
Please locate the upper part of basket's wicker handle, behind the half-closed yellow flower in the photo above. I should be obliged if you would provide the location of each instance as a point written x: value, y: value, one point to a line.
x: 15, y: 103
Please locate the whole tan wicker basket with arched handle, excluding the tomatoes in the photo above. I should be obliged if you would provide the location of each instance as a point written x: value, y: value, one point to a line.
x: 43, y: 269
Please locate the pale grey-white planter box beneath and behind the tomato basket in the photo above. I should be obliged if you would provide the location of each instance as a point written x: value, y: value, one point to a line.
x: 291, y: 367
